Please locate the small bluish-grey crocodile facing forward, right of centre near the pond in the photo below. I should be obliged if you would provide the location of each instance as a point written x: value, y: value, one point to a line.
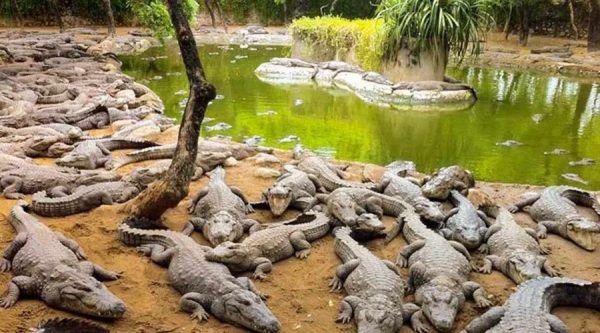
x: 465, y: 223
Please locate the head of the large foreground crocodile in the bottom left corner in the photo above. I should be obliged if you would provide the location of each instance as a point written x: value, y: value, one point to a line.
x: 74, y: 291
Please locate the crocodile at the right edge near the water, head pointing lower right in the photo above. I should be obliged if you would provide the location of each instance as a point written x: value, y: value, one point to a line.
x: 554, y: 210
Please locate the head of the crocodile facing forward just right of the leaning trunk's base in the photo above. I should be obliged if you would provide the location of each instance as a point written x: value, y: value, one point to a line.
x: 222, y: 227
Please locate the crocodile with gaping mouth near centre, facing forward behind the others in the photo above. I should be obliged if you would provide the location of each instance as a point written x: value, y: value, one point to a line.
x: 295, y: 188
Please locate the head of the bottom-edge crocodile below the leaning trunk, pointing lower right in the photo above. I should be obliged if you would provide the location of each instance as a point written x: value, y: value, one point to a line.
x: 245, y: 308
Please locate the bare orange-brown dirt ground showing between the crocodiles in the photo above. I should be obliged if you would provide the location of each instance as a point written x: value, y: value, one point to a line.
x: 299, y: 291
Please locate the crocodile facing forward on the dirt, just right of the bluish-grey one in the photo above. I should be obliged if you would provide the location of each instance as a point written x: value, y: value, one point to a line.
x: 514, y: 250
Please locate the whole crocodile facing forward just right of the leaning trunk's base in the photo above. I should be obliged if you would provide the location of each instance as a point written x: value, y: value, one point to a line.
x: 219, y: 211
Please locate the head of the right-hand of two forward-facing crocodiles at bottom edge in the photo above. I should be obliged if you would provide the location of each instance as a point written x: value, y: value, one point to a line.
x: 440, y: 301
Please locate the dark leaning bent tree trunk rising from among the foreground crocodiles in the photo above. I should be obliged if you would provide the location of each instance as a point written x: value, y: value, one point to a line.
x: 169, y: 191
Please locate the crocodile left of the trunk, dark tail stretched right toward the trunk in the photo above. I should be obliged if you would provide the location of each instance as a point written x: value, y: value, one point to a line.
x: 91, y: 154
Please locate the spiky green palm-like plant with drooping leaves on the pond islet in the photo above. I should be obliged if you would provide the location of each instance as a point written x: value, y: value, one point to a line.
x: 438, y: 26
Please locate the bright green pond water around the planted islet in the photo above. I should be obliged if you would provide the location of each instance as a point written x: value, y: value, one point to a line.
x: 339, y: 124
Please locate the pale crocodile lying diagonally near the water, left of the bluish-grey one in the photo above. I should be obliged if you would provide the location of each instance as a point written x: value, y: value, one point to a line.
x: 408, y: 189
